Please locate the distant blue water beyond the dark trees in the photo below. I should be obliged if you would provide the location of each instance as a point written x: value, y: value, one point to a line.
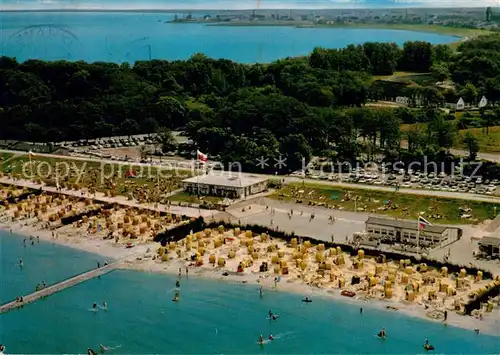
x: 128, y: 37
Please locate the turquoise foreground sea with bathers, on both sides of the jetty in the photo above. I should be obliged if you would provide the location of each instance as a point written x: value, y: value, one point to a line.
x: 212, y: 317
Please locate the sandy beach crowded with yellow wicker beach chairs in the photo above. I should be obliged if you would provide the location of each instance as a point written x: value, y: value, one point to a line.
x: 242, y: 256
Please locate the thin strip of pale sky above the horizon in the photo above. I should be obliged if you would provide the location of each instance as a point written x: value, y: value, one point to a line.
x: 236, y: 4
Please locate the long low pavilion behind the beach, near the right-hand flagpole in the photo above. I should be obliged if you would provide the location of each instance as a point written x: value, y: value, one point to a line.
x: 399, y: 230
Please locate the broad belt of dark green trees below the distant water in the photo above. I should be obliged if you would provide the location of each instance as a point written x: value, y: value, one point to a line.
x: 295, y: 107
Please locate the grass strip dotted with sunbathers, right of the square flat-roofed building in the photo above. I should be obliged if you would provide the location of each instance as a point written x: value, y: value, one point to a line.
x: 438, y: 210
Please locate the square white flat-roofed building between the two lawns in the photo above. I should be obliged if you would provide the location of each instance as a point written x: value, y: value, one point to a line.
x: 225, y: 184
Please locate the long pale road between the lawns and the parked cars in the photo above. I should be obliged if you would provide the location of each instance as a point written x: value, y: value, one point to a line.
x: 289, y: 179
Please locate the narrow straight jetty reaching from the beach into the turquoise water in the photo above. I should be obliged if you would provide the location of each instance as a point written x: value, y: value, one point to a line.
x: 49, y: 290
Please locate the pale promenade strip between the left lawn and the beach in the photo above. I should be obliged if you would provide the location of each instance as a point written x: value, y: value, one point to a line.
x: 121, y: 200
